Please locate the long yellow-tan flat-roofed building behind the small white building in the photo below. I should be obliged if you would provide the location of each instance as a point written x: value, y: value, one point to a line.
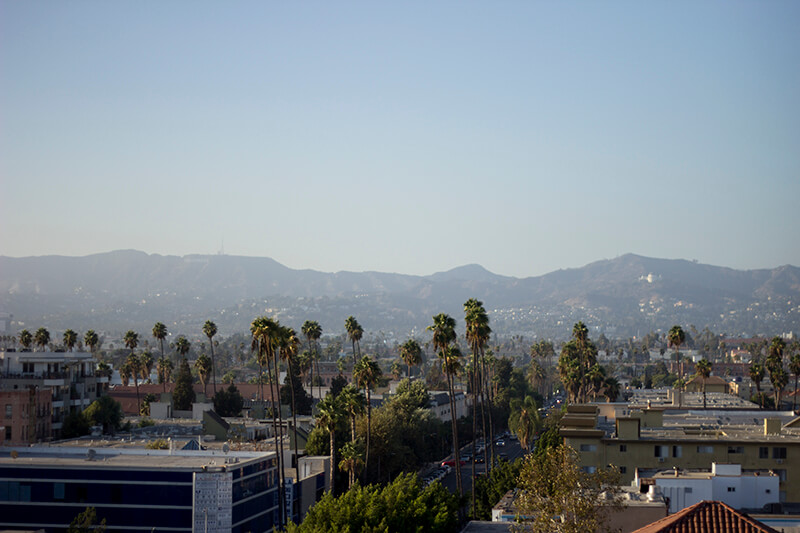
x: 651, y: 440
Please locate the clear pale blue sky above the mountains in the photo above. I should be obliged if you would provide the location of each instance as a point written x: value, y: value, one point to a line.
x: 409, y: 137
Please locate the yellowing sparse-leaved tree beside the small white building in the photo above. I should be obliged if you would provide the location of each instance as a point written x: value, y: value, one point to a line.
x: 556, y: 496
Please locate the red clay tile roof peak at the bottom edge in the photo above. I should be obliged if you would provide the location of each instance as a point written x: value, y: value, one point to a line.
x: 707, y: 516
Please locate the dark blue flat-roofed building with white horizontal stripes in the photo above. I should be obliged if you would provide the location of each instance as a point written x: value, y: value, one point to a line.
x: 139, y: 489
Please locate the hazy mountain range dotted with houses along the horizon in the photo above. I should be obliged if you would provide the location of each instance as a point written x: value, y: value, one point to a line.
x: 126, y: 289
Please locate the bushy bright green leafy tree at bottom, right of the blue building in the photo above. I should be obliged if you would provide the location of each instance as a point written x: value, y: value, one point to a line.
x: 402, y: 505
